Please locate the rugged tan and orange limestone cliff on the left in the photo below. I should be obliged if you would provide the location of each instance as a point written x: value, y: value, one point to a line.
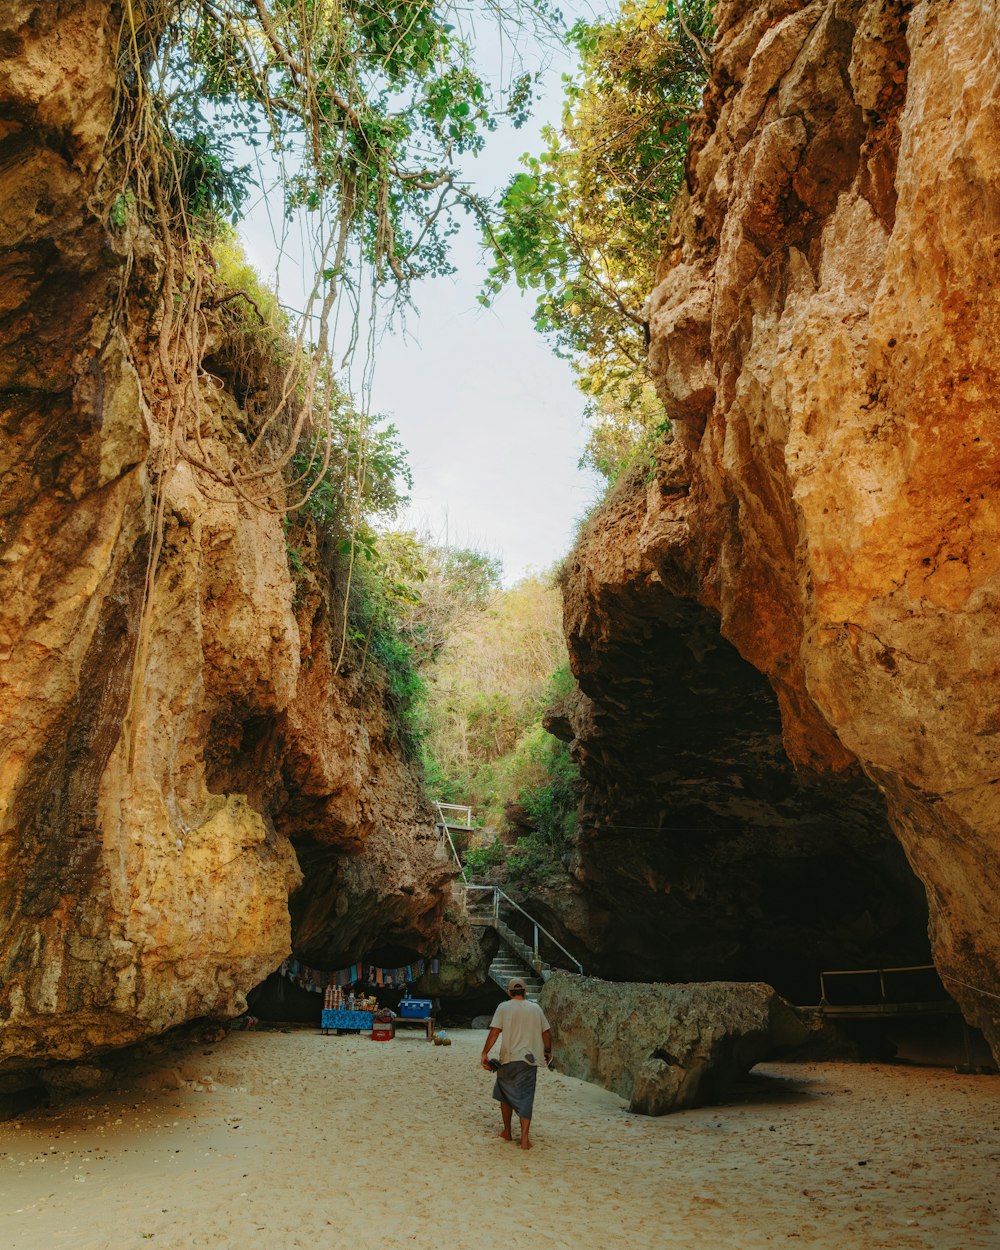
x: 147, y: 863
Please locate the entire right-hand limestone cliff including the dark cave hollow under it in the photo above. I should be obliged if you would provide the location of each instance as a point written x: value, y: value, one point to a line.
x: 827, y: 517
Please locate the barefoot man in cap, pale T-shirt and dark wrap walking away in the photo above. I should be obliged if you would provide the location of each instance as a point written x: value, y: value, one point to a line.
x: 527, y: 1041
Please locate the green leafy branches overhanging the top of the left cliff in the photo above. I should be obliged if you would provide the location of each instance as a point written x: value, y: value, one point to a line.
x: 368, y: 106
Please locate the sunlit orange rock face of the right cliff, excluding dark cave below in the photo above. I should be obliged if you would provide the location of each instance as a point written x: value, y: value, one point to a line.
x: 823, y: 336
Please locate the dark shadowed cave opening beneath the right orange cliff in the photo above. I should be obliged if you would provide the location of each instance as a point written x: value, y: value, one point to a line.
x: 703, y: 853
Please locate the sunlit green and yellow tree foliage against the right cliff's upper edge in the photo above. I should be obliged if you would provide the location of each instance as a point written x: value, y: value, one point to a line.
x: 583, y: 224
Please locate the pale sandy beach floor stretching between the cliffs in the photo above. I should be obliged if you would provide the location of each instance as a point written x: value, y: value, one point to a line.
x: 296, y: 1139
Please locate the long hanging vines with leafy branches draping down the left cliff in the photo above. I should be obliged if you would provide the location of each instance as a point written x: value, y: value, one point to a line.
x: 364, y: 112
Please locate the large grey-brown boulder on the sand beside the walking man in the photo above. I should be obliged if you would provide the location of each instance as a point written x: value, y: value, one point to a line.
x: 662, y: 1047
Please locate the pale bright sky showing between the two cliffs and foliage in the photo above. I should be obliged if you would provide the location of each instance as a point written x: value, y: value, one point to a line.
x: 491, y: 417
